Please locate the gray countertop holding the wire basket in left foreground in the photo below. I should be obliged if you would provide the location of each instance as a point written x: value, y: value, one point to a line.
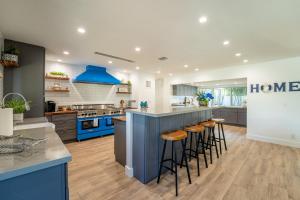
x: 50, y: 153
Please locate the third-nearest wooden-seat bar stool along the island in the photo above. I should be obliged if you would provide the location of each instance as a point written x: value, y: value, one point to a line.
x: 211, y: 138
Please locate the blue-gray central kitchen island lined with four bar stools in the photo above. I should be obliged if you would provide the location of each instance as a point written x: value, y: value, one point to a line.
x: 143, y: 130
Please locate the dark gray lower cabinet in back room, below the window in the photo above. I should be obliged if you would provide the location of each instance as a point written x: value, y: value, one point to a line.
x: 237, y: 116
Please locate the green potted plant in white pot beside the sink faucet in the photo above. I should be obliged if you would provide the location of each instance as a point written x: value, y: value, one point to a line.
x: 18, y: 106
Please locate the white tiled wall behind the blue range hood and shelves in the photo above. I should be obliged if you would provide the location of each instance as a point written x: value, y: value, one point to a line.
x: 92, y: 93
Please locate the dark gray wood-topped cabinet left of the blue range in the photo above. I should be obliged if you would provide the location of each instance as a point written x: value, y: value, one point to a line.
x: 65, y: 125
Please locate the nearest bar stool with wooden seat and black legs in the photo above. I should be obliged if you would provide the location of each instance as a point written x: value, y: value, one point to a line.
x: 174, y: 136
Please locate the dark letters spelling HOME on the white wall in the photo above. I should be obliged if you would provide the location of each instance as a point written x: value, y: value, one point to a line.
x: 293, y: 86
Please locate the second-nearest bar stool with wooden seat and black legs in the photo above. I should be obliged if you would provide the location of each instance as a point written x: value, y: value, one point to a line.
x: 197, y: 132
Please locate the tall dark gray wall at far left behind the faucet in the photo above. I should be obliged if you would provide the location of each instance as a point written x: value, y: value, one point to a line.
x: 28, y: 79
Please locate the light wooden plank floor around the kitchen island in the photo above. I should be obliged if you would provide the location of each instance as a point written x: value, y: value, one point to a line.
x: 249, y: 170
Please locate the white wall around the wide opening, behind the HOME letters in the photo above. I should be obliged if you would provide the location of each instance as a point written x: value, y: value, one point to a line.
x: 272, y: 117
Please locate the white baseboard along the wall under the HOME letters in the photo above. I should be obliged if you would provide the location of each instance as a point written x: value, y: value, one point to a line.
x: 273, y: 140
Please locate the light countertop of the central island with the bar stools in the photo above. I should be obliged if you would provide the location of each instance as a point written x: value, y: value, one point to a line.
x: 167, y: 111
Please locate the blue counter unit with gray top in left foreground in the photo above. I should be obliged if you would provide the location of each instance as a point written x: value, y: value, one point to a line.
x: 37, y: 173
